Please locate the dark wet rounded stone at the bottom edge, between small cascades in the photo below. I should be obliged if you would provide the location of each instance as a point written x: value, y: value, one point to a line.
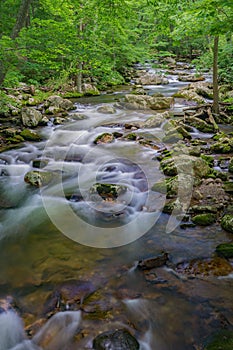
x: 115, y: 340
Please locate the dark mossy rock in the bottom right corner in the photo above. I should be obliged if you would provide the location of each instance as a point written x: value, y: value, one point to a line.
x: 221, y: 341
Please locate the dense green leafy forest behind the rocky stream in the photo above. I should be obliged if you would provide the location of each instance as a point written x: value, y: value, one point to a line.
x: 55, y: 42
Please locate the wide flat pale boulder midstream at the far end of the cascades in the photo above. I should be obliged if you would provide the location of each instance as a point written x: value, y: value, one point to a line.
x: 148, y: 102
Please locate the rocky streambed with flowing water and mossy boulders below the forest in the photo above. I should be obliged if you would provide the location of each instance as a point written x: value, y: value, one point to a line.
x: 146, y: 174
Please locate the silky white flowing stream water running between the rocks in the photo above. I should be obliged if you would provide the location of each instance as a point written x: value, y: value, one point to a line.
x: 65, y: 233
